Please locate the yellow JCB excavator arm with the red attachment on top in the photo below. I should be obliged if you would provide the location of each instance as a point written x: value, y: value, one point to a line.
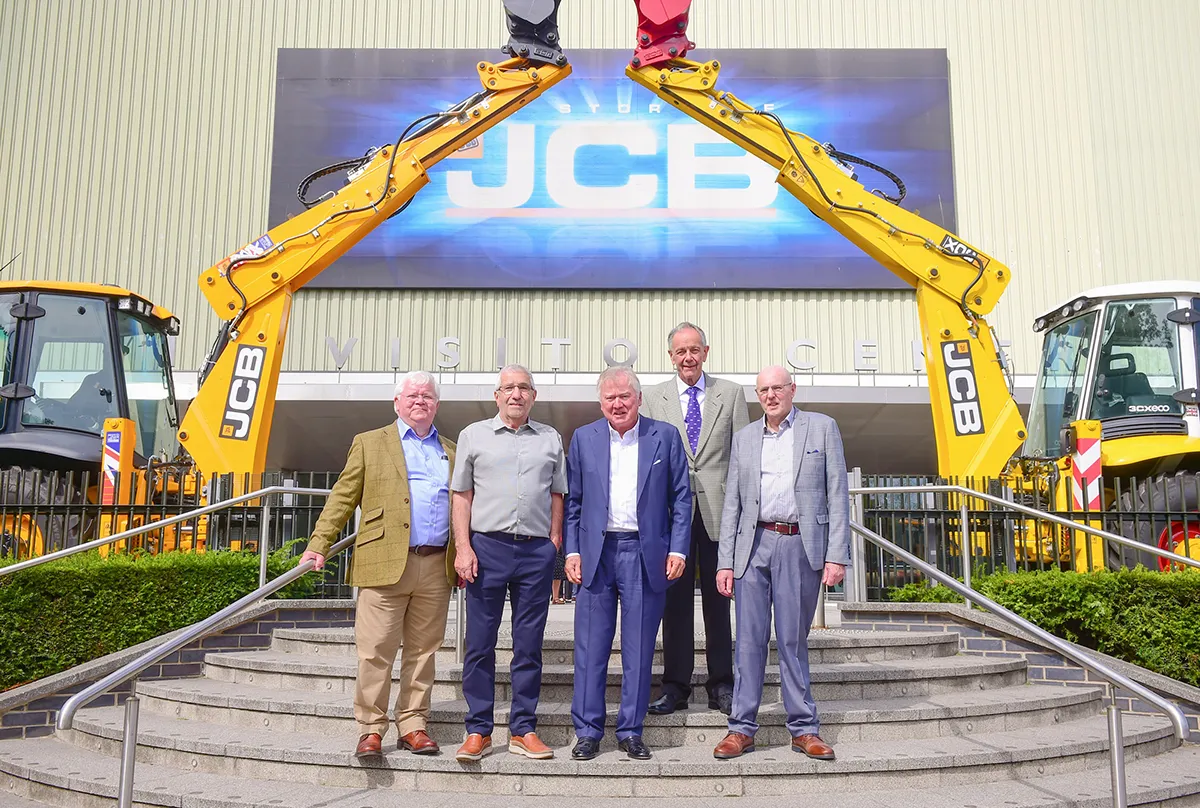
x: 976, y: 421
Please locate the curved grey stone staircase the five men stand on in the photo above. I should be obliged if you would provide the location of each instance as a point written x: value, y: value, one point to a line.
x: 914, y: 722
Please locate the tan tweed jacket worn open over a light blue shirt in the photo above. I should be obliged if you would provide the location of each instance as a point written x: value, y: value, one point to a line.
x: 376, y: 477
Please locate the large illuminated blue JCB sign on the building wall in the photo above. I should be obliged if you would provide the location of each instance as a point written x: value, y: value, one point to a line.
x: 598, y: 185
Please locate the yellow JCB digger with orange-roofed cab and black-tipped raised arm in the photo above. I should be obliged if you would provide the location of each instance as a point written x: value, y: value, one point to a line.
x: 87, y: 369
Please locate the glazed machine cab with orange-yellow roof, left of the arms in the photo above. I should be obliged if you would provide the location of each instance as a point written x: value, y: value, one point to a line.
x: 73, y: 356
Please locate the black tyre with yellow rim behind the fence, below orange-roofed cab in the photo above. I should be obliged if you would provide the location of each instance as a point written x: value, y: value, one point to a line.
x: 25, y: 493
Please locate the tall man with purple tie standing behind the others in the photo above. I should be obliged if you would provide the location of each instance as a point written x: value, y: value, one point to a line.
x: 707, y: 412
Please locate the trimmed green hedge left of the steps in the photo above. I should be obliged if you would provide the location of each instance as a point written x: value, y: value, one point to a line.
x: 77, y: 609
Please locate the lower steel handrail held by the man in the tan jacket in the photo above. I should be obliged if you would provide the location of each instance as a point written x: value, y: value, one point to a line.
x: 130, y: 671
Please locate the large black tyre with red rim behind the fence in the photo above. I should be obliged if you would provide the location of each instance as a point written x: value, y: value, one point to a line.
x: 1151, y: 514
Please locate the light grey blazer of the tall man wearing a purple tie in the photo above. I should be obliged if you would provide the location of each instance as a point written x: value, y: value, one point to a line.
x: 724, y: 414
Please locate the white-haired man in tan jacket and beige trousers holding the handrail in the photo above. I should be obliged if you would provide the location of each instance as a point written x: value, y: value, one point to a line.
x: 404, y: 562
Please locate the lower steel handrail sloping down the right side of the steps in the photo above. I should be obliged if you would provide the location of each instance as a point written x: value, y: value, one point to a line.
x: 1115, y: 680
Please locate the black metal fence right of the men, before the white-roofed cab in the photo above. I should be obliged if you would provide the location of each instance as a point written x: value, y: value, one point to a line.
x: 1160, y: 512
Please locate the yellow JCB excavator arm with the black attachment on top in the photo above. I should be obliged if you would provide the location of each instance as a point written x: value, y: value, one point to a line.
x: 229, y: 423
